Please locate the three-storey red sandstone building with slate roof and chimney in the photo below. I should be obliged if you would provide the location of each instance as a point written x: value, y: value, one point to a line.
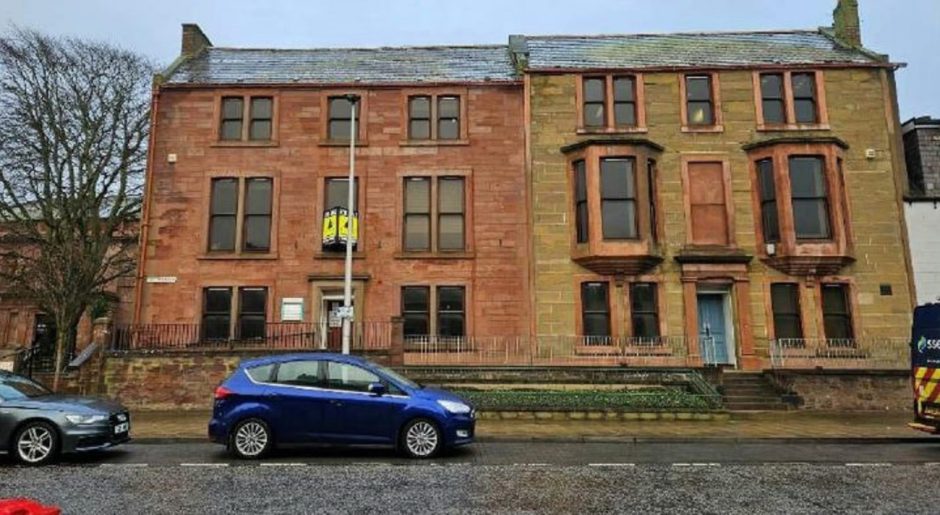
x: 250, y: 148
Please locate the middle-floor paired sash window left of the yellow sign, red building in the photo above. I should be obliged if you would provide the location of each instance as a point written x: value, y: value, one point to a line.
x: 255, y: 210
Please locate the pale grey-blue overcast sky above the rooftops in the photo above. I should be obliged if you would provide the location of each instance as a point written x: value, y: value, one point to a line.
x: 902, y: 28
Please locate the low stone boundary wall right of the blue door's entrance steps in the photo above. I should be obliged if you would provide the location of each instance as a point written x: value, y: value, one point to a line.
x: 828, y: 390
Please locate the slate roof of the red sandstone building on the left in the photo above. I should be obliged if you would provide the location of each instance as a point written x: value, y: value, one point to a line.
x: 347, y: 65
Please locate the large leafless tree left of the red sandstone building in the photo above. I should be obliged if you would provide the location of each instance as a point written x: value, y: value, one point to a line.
x: 74, y: 121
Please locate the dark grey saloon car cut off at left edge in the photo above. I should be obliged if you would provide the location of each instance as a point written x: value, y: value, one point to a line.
x: 36, y: 425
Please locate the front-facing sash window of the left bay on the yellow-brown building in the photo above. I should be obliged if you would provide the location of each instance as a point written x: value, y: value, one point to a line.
x: 618, y: 199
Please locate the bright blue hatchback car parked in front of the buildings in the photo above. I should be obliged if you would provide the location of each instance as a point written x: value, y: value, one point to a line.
x: 334, y: 399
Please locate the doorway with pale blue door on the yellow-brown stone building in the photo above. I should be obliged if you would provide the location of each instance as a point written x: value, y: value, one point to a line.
x: 715, y: 326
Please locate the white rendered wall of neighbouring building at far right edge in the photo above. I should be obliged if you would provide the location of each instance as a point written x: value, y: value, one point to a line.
x: 923, y: 227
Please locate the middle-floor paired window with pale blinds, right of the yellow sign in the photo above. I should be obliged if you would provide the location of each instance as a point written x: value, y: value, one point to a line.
x: 447, y: 196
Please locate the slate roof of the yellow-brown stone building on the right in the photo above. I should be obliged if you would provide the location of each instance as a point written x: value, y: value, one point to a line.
x: 689, y: 50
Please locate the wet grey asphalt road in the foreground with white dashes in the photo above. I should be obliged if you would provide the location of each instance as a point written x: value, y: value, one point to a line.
x: 704, y: 477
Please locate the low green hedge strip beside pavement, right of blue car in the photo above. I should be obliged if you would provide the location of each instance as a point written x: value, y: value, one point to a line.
x: 647, y: 399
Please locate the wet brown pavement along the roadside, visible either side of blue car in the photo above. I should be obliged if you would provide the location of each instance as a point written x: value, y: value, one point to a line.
x: 191, y: 425
